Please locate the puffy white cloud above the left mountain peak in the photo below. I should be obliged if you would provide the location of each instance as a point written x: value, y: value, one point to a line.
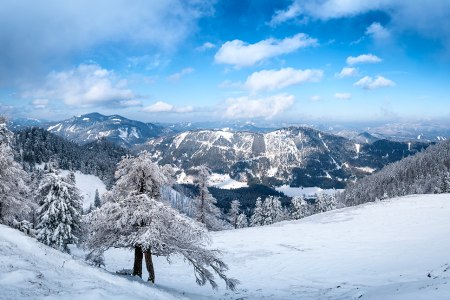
x: 86, y: 85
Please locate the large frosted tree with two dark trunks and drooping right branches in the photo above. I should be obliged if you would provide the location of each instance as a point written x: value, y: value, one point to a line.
x: 134, y: 216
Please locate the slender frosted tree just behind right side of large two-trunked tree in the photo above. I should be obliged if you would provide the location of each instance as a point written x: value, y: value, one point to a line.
x: 206, y: 209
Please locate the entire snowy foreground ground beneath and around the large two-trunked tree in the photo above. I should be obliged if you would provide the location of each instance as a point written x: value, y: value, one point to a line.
x: 395, y: 249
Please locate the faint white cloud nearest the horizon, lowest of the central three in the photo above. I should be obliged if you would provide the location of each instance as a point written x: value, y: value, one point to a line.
x: 245, y: 107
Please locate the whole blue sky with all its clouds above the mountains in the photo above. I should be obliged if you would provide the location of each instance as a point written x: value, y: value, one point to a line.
x: 199, y: 60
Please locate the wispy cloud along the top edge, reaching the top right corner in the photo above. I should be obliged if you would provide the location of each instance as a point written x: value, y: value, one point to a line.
x: 429, y: 19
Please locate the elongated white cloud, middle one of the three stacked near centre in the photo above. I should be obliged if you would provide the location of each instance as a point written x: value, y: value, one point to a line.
x: 269, y: 80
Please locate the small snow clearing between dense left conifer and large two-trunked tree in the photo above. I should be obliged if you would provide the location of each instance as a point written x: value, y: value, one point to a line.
x: 87, y: 184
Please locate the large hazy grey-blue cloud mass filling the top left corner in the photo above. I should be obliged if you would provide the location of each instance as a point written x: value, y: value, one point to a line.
x: 53, y: 30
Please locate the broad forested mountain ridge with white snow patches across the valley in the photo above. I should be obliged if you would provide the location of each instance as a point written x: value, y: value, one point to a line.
x: 298, y: 156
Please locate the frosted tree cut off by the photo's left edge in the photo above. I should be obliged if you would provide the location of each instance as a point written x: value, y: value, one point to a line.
x: 14, y: 203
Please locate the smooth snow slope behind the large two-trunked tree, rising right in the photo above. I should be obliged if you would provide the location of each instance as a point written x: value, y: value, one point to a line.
x: 395, y: 249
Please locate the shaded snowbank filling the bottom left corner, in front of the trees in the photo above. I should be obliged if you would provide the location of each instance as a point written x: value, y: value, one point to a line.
x: 31, y: 270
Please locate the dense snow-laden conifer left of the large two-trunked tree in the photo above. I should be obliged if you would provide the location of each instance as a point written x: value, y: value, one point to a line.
x: 59, y: 214
